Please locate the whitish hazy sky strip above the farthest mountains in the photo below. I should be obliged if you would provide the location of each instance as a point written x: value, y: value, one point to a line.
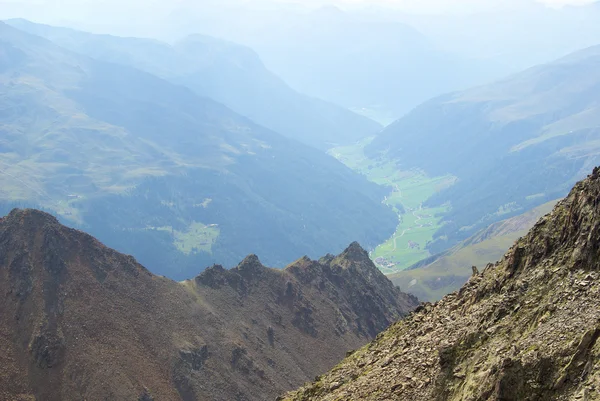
x: 141, y: 17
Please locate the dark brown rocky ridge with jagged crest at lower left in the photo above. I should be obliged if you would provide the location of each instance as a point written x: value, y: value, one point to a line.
x: 81, y: 321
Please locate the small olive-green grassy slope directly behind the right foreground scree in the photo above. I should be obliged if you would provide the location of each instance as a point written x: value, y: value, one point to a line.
x: 433, y: 278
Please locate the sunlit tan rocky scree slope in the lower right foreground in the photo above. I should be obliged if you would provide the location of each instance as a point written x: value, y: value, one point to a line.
x: 526, y: 328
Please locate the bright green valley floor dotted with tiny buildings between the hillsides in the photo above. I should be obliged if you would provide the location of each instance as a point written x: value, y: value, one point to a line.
x: 417, y: 223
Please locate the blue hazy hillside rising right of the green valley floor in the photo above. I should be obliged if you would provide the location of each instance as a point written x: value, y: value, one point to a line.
x: 514, y: 144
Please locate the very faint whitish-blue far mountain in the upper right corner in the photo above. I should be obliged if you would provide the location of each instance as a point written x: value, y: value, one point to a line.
x: 536, y: 33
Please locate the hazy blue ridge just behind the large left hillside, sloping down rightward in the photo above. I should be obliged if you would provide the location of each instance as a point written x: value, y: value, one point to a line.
x: 226, y: 72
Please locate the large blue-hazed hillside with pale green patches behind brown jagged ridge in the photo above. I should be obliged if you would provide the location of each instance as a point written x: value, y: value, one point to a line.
x: 177, y: 180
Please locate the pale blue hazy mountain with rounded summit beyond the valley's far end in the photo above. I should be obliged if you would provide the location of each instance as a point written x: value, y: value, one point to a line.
x: 378, y: 65
